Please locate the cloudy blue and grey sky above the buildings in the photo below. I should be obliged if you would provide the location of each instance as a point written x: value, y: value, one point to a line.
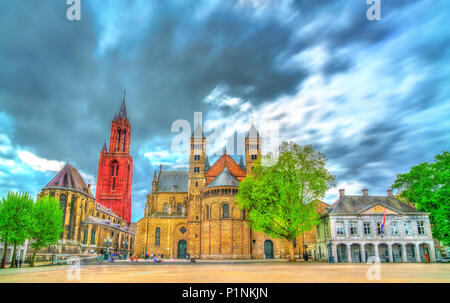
x: 373, y: 96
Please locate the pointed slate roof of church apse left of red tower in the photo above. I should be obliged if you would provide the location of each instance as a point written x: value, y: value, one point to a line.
x: 69, y: 177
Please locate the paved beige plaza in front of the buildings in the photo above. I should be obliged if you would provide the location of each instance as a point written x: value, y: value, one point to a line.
x: 256, y: 272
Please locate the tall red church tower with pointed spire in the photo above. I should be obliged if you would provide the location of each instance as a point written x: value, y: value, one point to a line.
x: 115, y: 168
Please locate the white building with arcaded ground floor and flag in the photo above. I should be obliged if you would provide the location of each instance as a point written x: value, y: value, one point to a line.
x: 350, y: 231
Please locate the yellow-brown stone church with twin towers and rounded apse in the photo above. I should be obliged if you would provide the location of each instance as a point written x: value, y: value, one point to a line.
x: 195, y: 211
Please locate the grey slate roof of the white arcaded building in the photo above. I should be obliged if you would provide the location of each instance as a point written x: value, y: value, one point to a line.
x: 358, y: 204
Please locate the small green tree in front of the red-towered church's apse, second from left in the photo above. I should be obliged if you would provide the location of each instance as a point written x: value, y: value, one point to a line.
x: 46, y: 225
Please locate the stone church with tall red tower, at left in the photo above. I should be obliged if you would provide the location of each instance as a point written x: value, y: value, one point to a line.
x: 95, y: 226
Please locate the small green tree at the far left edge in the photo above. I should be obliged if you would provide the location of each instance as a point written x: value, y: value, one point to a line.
x: 15, y: 219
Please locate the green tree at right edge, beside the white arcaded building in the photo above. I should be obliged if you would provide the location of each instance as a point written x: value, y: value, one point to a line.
x: 427, y: 185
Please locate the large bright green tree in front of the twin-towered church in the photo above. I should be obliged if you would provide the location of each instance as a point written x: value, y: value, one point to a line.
x: 280, y: 199
